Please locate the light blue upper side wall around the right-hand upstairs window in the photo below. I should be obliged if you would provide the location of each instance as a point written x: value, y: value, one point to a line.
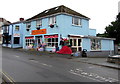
x: 66, y: 27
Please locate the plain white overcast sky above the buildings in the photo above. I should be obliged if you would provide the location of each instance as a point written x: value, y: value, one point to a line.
x: 100, y: 12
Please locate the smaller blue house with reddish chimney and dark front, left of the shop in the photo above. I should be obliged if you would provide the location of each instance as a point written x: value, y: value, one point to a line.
x: 13, y: 34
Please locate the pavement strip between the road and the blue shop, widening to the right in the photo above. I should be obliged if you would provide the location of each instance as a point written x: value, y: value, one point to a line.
x: 90, y: 60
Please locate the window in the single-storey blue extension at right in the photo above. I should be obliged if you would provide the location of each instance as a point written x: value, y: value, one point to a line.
x: 95, y: 44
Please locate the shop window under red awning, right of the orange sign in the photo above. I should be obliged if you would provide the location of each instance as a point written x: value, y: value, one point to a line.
x: 51, y: 40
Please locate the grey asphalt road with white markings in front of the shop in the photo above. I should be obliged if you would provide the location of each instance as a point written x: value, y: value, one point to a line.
x: 27, y: 67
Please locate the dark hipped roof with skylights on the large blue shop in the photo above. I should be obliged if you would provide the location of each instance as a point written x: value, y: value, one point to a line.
x: 56, y: 10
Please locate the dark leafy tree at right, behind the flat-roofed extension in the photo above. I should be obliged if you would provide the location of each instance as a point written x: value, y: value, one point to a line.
x: 113, y: 30
